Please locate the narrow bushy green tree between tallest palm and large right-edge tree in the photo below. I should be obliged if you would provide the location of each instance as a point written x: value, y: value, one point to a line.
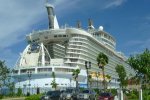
x: 122, y: 75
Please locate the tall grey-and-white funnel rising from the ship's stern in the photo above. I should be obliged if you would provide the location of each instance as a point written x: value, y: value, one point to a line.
x: 53, y: 23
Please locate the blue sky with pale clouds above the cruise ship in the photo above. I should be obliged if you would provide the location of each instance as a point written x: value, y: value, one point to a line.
x: 127, y: 20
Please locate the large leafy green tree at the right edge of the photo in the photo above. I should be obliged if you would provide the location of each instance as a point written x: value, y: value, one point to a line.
x: 141, y: 64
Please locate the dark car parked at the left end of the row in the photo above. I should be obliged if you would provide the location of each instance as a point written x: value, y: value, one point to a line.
x: 51, y: 95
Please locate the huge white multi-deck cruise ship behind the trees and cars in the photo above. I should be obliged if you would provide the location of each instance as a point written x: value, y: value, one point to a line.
x: 61, y: 50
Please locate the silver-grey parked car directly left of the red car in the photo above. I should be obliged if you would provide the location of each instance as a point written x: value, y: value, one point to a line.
x: 87, y: 94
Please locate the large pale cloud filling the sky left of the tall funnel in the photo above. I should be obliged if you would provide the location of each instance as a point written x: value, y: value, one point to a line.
x: 16, y: 17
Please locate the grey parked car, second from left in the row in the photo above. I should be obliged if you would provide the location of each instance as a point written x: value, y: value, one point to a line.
x: 69, y: 94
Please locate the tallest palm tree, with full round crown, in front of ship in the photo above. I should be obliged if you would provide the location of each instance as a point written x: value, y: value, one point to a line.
x: 102, y: 60
